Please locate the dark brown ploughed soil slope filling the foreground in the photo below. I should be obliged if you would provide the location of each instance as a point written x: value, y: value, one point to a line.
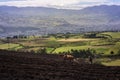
x: 28, y: 66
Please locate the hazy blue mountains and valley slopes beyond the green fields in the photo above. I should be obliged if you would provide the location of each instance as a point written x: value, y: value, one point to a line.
x: 42, y: 20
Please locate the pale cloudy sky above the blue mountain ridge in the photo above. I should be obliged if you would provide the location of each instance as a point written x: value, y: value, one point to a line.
x: 68, y: 4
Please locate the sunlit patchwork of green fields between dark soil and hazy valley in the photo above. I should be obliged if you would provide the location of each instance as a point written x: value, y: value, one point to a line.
x: 103, y: 43
